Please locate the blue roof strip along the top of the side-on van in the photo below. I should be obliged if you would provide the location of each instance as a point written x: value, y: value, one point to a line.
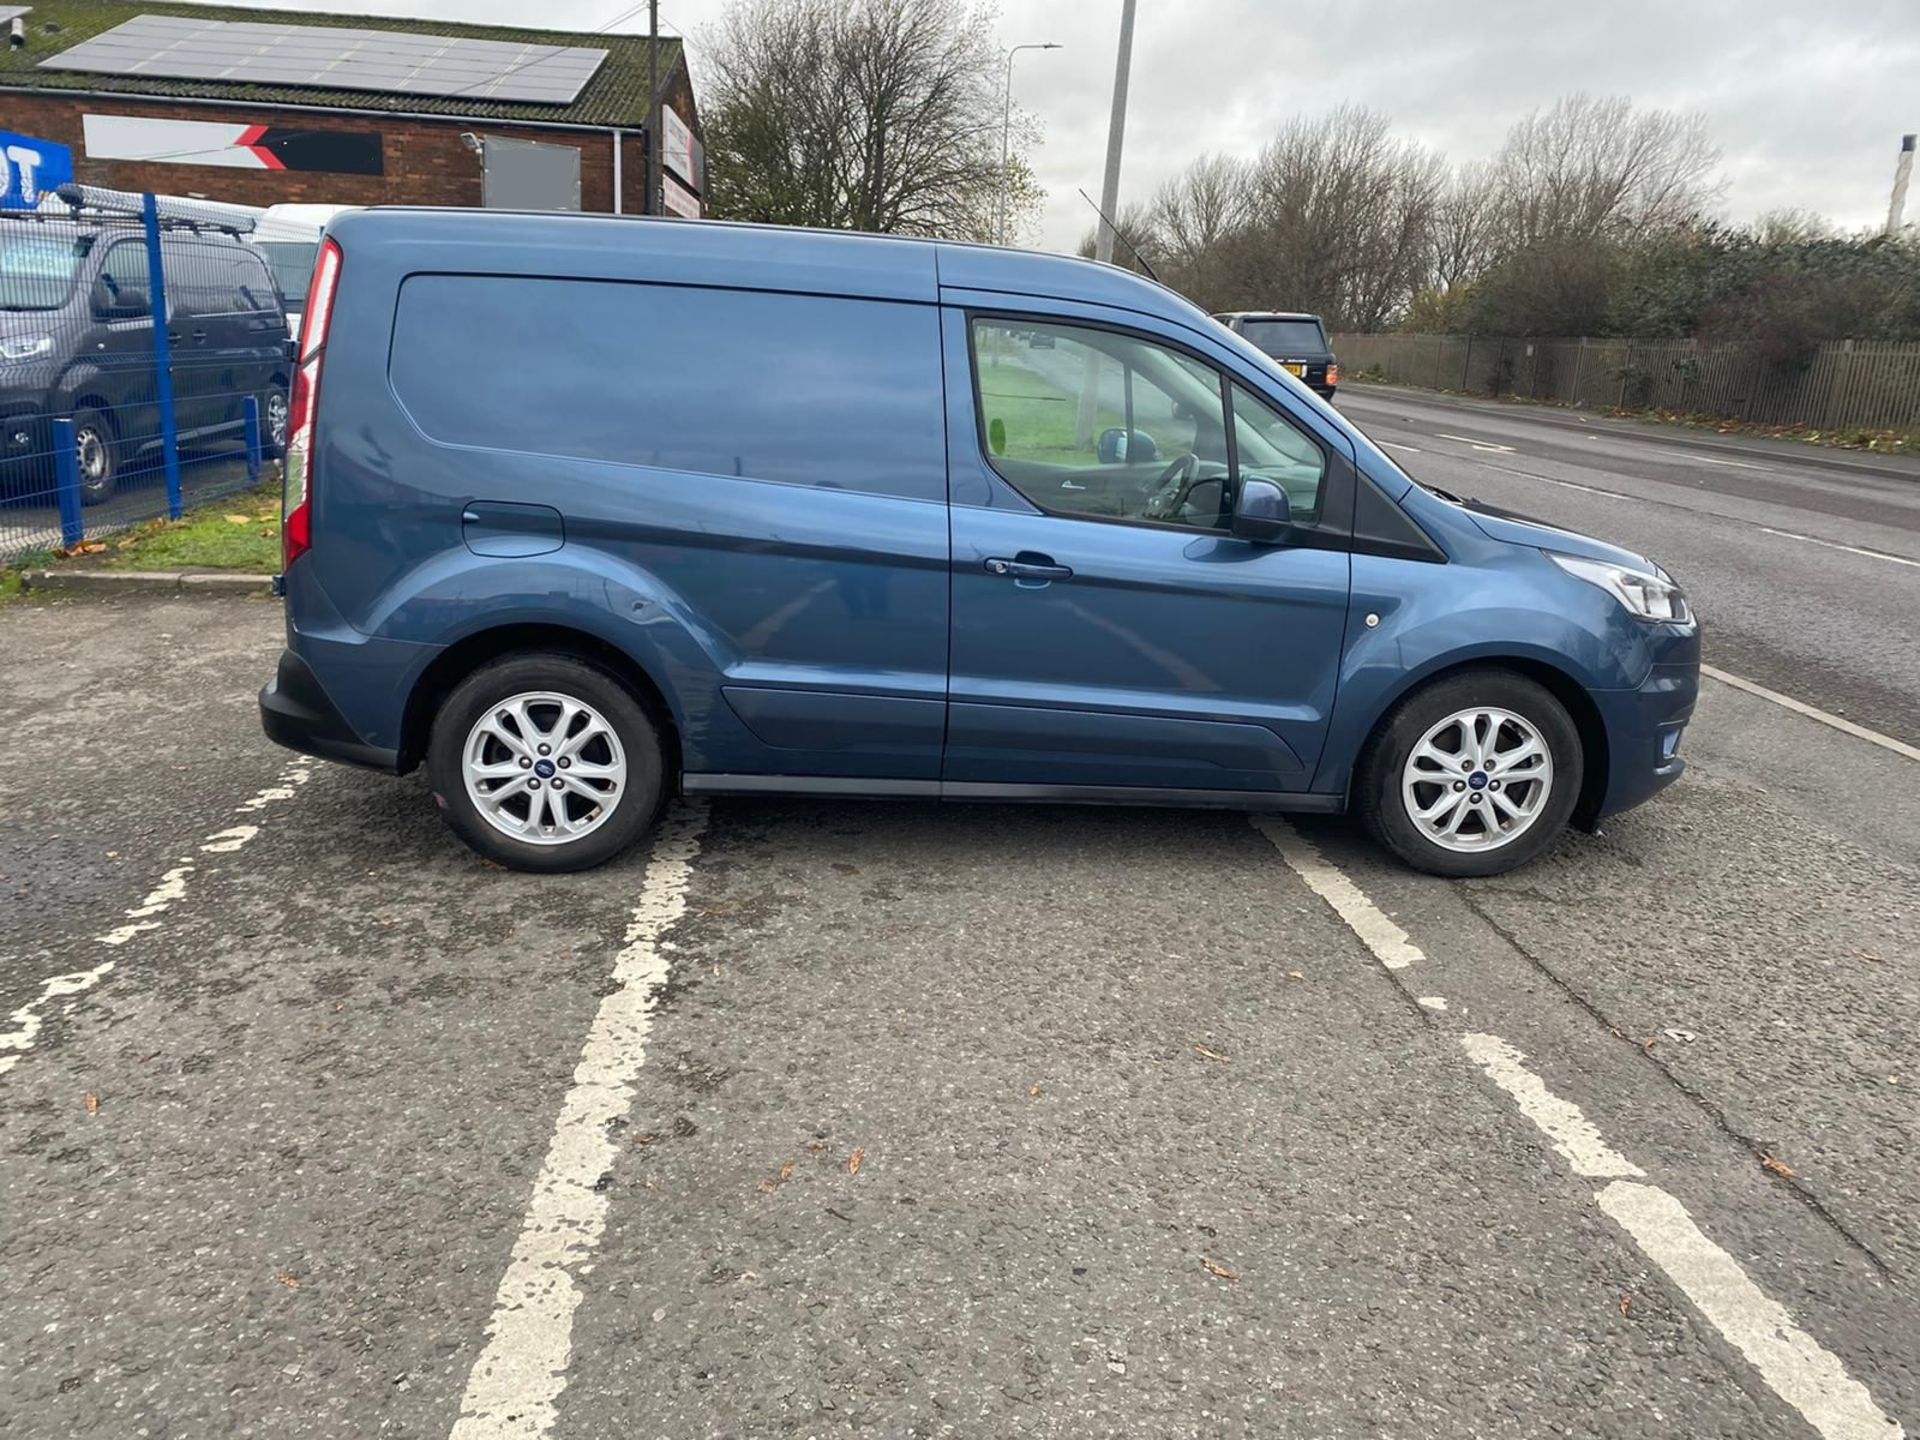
x: 775, y: 256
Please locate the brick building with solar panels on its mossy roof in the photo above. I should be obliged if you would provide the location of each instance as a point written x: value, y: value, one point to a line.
x: 277, y: 130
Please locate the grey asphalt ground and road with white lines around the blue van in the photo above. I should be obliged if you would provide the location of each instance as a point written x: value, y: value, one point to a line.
x: 901, y: 1120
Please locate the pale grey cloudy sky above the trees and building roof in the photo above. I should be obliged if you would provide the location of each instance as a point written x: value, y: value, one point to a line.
x: 1806, y: 101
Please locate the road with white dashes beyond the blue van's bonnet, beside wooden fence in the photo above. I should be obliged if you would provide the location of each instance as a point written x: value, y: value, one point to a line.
x: 1804, y: 562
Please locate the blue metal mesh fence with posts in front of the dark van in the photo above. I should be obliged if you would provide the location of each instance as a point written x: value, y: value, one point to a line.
x: 145, y: 364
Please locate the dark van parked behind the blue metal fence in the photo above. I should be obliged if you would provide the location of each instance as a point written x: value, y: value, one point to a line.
x: 78, y: 341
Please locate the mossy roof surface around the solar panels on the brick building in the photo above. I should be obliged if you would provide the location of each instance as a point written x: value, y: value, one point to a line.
x: 617, y: 95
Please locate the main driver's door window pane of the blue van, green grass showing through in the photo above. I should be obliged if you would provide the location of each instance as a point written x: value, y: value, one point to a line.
x: 1103, y: 425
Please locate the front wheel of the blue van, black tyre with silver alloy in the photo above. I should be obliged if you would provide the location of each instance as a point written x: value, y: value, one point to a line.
x: 1472, y: 777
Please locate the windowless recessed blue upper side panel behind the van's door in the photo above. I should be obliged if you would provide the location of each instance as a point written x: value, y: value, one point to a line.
x: 798, y: 389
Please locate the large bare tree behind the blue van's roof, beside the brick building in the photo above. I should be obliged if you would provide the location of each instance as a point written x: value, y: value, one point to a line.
x: 861, y: 114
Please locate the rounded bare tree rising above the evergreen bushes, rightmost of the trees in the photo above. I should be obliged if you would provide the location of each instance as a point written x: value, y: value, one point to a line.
x: 1595, y: 170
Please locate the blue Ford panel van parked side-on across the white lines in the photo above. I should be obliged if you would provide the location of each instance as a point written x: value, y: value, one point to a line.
x: 583, y: 512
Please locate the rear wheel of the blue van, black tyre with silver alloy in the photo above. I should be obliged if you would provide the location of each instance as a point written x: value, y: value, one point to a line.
x: 546, y: 763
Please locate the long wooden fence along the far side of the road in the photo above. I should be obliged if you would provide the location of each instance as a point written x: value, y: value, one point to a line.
x: 1852, y: 385
